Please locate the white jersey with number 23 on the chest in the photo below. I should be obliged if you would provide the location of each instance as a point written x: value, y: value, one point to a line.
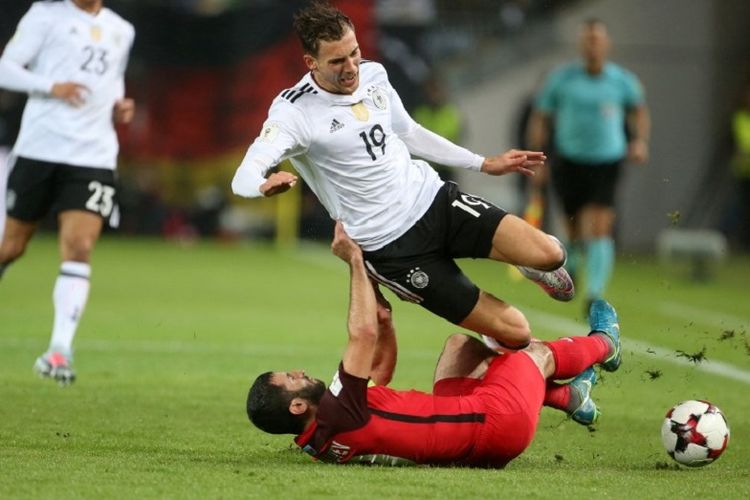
x: 58, y: 42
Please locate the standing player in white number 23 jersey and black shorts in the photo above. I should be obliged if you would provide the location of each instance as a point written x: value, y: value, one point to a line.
x: 70, y: 57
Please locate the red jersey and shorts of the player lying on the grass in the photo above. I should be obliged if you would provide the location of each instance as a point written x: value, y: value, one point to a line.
x: 489, y: 425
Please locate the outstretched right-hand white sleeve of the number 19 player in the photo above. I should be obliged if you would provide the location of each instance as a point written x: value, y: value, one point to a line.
x: 427, y: 144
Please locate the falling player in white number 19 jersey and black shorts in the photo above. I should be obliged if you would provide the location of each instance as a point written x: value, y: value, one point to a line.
x: 346, y: 132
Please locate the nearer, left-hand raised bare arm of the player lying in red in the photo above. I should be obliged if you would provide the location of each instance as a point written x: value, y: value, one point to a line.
x: 362, y: 323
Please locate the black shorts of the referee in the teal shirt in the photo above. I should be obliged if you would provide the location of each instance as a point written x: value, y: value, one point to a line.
x: 580, y: 184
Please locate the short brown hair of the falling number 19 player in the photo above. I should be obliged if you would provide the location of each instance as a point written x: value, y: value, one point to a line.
x: 320, y: 21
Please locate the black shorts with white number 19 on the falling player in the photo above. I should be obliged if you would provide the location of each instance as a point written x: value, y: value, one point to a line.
x: 419, y: 267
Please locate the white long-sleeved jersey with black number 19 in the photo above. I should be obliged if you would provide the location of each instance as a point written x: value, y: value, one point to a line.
x: 351, y: 151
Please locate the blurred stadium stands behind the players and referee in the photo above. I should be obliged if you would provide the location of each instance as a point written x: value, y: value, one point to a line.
x: 203, y: 73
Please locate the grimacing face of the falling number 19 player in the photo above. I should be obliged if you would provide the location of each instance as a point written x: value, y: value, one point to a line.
x: 336, y: 68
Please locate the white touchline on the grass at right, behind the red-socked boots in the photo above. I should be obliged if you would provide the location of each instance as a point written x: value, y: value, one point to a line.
x: 565, y: 326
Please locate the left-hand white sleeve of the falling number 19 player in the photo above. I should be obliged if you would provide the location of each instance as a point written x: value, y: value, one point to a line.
x: 284, y: 134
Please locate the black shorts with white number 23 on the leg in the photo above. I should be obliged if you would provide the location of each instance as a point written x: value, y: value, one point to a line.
x: 37, y: 187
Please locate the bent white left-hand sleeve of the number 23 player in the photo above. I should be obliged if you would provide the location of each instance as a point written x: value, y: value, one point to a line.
x: 21, y: 50
